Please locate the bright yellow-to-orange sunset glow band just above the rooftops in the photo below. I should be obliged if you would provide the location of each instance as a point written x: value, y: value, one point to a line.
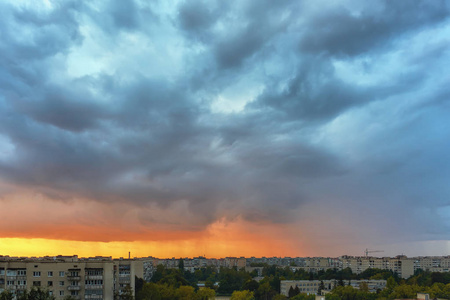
x: 221, y: 239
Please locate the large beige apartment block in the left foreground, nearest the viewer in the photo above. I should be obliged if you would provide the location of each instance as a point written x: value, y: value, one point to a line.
x: 91, y: 278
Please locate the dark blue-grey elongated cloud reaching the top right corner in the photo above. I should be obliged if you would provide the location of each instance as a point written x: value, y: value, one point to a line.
x: 352, y: 31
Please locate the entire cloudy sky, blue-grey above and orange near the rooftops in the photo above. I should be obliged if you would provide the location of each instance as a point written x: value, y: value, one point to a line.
x: 224, y: 128
